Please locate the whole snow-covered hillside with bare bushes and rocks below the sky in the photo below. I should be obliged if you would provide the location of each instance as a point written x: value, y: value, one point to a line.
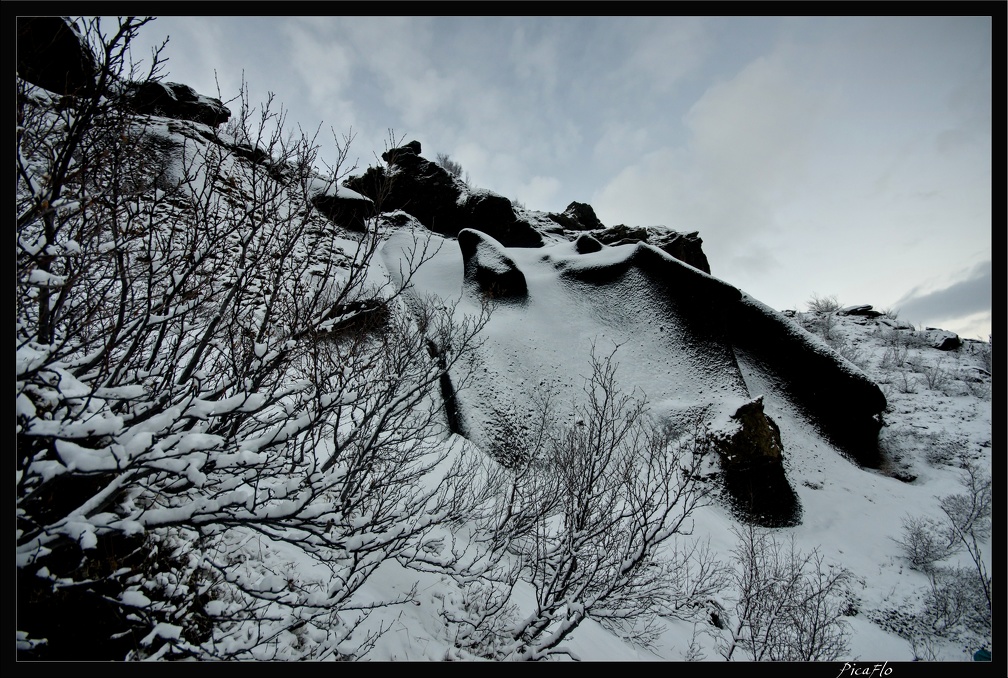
x: 254, y: 428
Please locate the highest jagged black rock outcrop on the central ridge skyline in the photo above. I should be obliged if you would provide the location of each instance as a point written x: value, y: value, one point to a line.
x: 439, y: 201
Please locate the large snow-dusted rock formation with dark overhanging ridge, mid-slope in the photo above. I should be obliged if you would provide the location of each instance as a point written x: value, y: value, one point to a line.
x: 686, y: 336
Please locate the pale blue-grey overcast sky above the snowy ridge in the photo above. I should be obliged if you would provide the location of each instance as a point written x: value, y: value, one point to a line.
x: 846, y: 157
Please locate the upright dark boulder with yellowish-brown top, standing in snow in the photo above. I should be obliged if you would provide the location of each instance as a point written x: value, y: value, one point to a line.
x: 754, y: 473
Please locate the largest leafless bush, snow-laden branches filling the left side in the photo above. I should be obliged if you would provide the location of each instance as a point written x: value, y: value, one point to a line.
x: 197, y: 383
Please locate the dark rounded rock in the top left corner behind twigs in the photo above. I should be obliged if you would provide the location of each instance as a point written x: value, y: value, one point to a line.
x: 52, y: 54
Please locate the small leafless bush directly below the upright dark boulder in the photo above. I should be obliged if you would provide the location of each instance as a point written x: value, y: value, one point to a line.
x: 791, y: 605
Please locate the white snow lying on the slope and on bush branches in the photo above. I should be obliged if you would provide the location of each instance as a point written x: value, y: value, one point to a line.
x: 940, y: 405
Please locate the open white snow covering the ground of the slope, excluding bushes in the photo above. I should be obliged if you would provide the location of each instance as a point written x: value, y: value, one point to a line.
x: 940, y: 417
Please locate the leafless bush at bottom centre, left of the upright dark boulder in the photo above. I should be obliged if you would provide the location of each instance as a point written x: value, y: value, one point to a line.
x: 585, y: 518
